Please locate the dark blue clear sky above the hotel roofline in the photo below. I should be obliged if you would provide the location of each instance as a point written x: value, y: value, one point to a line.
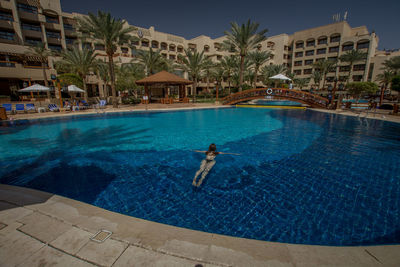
x: 190, y: 19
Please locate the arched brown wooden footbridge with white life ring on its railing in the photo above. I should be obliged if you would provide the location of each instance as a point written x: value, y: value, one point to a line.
x: 310, y: 99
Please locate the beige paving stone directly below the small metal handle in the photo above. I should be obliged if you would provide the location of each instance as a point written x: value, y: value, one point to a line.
x: 104, y: 254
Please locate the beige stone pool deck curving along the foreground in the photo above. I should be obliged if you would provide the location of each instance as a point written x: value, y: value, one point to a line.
x: 42, y: 229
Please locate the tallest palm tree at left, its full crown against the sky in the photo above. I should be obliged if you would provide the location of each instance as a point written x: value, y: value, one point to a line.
x: 111, y: 33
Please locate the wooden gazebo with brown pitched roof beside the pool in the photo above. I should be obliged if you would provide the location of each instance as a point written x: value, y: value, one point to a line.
x: 157, y: 86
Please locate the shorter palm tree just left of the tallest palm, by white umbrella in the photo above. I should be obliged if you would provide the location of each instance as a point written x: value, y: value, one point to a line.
x: 80, y: 62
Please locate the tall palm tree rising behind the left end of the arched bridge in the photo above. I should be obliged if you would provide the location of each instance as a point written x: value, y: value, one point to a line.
x: 242, y: 39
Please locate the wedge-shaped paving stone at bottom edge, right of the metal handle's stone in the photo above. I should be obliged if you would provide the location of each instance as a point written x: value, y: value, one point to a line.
x: 136, y: 256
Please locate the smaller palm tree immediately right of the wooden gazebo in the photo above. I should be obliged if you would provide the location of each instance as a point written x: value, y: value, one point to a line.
x: 193, y: 63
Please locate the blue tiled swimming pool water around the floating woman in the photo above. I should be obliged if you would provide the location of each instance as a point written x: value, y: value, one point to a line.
x: 302, y: 176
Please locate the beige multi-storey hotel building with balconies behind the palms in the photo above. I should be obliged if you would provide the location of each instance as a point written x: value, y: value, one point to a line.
x: 24, y: 23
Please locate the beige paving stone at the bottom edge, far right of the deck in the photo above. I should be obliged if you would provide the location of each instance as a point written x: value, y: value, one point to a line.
x: 330, y: 256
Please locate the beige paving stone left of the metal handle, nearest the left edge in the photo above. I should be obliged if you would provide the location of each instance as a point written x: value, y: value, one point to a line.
x: 42, y: 227
